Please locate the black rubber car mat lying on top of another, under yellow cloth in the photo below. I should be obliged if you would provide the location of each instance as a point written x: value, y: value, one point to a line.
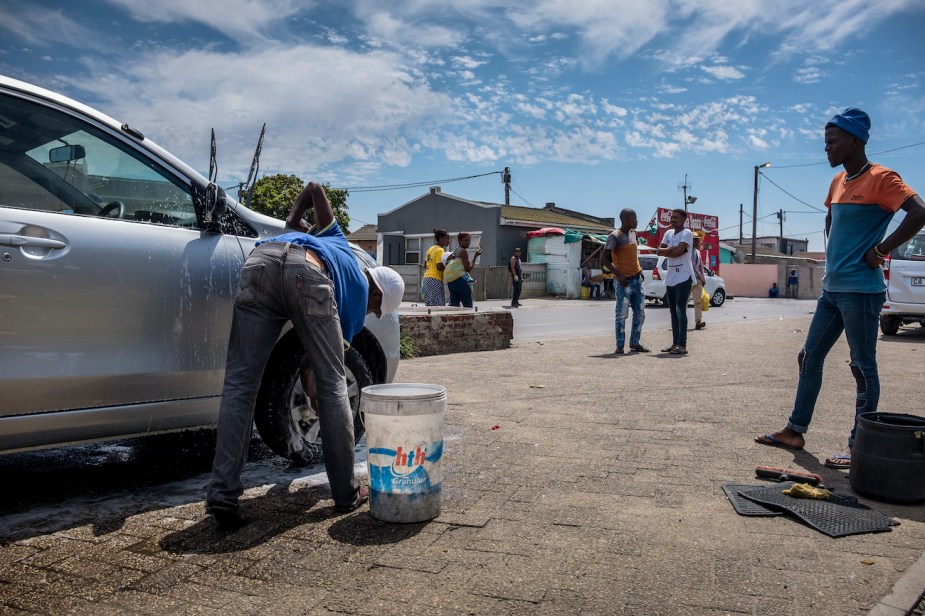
x: 837, y: 517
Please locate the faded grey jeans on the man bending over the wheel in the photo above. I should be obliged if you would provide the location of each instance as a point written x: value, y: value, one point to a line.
x: 278, y: 285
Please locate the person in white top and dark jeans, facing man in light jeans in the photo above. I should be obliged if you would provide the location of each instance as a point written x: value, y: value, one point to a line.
x: 676, y: 246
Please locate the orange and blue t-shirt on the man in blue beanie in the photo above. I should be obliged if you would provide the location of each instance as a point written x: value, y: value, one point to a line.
x: 861, y: 211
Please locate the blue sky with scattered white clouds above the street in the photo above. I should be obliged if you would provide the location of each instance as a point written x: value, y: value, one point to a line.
x: 595, y: 105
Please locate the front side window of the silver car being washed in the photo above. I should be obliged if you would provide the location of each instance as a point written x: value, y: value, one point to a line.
x: 52, y: 161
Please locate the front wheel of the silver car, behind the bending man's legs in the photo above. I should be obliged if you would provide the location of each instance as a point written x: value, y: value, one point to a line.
x: 286, y: 420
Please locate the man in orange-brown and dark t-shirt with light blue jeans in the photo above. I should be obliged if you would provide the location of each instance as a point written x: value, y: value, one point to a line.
x: 621, y: 255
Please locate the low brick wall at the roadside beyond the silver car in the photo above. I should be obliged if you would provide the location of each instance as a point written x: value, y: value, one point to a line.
x: 454, y: 331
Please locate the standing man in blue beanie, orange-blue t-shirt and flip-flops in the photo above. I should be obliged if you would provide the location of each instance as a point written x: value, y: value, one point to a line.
x: 861, y: 203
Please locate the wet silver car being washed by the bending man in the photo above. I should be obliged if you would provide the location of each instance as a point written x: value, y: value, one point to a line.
x: 118, y: 265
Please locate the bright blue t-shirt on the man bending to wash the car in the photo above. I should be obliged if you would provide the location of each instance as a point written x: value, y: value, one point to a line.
x: 351, y: 288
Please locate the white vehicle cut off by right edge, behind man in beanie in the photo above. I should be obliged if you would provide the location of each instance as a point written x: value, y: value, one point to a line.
x: 904, y: 269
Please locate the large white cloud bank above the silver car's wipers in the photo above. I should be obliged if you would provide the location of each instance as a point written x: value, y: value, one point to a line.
x: 314, y: 115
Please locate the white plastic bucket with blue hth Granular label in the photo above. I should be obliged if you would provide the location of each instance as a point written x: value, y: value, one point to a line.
x: 404, y: 450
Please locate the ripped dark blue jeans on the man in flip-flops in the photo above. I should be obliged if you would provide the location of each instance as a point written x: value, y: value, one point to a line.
x: 856, y: 314
